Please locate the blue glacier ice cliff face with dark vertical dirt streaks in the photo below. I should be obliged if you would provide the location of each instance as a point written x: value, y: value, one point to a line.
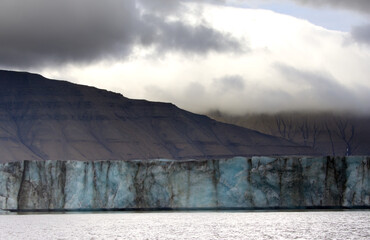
x: 258, y: 182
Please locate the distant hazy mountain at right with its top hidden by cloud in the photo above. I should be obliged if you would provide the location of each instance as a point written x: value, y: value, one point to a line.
x: 329, y: 133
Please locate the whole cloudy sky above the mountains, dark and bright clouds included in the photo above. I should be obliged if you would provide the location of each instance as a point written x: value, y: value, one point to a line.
x: 235, y: 56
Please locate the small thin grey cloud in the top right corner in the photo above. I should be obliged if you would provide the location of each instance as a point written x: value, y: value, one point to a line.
x: 357, y: 5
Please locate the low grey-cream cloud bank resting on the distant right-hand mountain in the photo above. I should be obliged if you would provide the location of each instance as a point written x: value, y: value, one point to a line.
x: 299, y: 90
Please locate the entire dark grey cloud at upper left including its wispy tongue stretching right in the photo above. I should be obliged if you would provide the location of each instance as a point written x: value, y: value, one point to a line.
x: 36, y: 32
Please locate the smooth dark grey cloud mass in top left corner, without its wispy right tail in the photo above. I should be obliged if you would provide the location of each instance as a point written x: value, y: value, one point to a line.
x: 34, y: 31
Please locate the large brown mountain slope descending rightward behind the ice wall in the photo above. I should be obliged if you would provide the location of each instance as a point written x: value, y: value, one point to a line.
x: 44, y: 119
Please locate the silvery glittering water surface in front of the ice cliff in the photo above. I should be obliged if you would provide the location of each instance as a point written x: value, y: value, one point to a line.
x: 189, y: 225
